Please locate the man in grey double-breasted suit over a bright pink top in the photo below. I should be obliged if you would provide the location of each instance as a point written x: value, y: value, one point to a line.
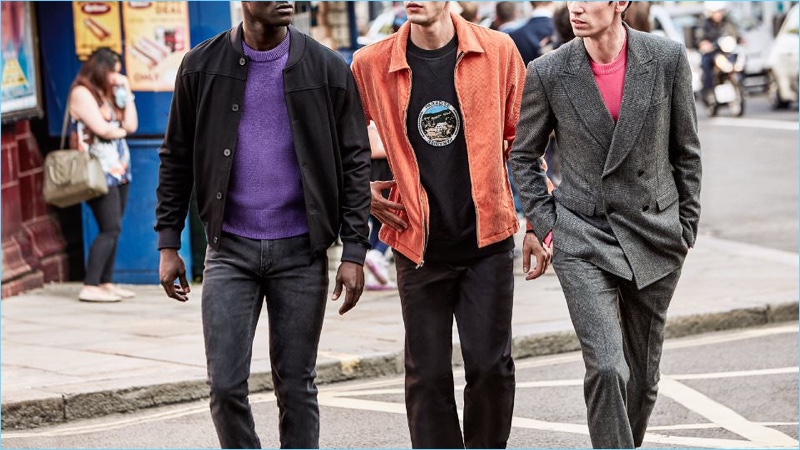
x: 622, y: 220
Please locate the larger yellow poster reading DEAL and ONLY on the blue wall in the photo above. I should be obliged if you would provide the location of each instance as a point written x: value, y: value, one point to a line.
x: 156, y: 38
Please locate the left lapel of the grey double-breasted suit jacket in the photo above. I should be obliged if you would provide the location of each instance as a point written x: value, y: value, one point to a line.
x: 582, y: 91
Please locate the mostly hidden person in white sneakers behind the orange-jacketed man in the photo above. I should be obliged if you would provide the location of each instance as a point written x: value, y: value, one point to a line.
x: 377, y: 276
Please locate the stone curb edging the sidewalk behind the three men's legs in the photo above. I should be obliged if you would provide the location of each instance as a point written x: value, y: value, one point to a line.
x: 51, y: 411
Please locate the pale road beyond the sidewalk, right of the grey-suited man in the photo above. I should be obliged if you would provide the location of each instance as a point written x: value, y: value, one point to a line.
x: 750, y: 175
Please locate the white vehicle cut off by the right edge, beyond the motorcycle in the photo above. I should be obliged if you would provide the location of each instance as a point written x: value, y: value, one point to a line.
x: 782, y: 63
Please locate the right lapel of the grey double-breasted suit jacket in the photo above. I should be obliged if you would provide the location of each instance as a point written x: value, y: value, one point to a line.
x: 637, y: 93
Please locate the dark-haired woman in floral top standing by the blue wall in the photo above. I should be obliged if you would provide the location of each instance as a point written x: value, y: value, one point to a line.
x: 103, y: 113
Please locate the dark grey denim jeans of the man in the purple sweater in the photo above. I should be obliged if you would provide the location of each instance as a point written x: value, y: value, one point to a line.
x: 236, y: 280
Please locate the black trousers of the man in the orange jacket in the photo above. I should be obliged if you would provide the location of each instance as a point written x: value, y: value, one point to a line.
x: 479, y: 293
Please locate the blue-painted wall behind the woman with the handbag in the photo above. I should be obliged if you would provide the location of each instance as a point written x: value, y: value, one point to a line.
x: 137, y: 256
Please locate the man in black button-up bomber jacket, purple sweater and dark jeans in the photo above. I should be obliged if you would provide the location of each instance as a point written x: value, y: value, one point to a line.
x: 273, y: 193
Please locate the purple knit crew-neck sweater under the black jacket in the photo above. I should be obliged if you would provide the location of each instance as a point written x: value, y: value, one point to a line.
x: 265, y: 195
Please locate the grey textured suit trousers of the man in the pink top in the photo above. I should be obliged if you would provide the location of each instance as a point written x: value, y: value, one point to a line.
x: 621, y: 331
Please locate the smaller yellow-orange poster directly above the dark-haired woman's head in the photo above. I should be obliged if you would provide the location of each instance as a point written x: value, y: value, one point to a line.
x: 96, y: 25
